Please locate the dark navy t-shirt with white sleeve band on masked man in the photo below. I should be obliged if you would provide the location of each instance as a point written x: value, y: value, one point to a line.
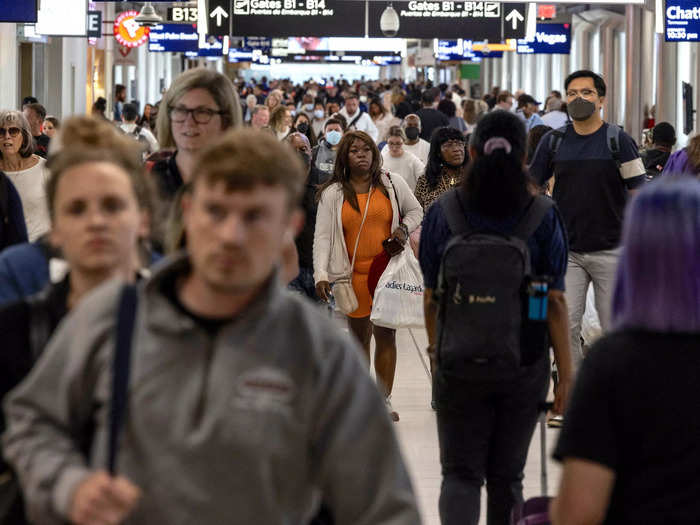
x: 590, y: 189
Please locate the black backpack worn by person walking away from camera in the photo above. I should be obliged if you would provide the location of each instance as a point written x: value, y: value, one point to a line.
x: 484, y: 289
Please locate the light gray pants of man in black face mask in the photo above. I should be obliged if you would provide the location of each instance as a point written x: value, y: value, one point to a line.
x: 583, y: 268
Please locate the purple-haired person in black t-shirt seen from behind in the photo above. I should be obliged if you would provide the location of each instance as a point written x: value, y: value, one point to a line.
x: 630, y: 438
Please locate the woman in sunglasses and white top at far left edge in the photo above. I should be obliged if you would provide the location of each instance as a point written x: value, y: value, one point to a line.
x: 26, y: 170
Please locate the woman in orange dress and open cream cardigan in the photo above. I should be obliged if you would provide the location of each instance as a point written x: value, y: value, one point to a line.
x: 363, y: 212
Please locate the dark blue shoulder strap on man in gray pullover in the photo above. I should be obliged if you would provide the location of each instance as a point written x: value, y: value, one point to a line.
x: 121, y: 366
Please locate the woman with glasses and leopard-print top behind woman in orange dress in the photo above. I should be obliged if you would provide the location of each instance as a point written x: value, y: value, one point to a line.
x: 445, y: 168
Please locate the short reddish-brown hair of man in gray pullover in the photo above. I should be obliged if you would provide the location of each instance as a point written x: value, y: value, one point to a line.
x: 245, y: 158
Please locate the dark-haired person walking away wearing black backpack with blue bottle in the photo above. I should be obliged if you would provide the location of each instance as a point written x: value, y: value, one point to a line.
x: 491, y: 354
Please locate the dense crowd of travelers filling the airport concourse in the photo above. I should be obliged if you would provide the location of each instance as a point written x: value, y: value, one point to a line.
x: 172, y: 280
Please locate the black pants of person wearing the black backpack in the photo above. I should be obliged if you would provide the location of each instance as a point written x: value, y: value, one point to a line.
x: 484, y: 430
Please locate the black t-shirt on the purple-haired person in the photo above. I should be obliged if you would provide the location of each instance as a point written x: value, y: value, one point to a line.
x: 636, y: 409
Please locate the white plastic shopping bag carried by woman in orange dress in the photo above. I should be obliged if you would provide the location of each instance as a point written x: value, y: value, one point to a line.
x: 398, y: 299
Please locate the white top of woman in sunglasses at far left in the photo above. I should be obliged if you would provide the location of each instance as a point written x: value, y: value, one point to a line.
x: 30, y: 186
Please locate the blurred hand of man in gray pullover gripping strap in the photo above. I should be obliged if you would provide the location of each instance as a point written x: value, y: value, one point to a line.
x: 103, y: 499
